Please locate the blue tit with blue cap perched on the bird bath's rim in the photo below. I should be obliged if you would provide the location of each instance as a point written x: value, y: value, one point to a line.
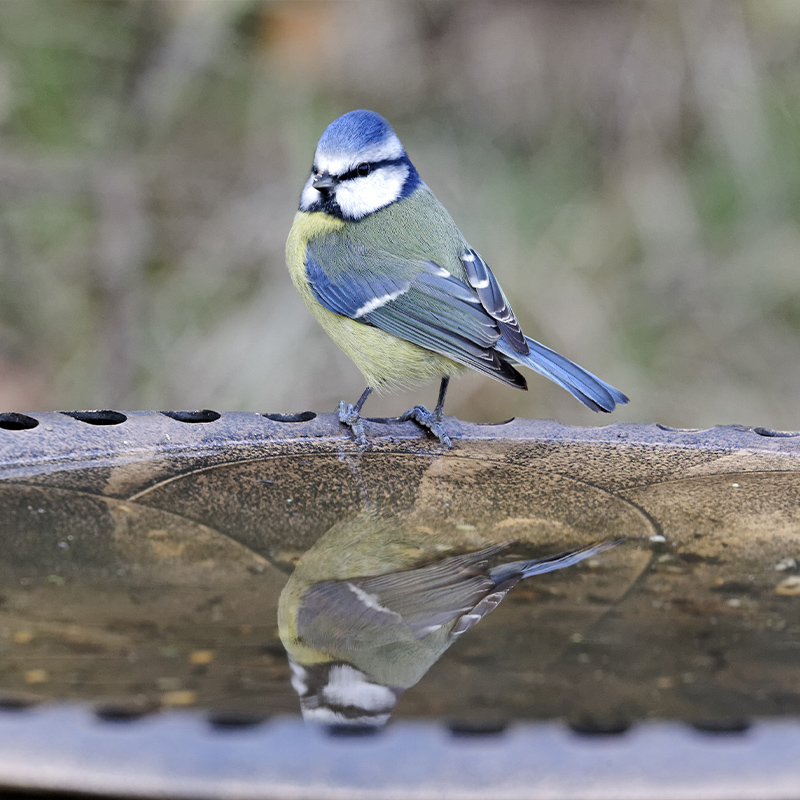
x: 384, y: 269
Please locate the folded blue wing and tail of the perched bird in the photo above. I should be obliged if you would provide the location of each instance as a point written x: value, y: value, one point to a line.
x: 468, y: 321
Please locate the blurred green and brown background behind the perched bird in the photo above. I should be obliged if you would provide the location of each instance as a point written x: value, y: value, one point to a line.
x: 630, y: 171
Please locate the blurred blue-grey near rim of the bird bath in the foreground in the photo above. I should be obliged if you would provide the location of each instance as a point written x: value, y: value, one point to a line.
x: 63, y: 748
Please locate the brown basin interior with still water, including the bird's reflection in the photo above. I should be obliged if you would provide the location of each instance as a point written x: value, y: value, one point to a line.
x: 144, y: 577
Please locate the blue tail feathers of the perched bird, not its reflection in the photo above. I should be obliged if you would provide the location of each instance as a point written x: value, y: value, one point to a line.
x: 589, y: 389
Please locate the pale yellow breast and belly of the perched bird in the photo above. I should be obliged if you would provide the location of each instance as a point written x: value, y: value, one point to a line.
x: 385, y: 361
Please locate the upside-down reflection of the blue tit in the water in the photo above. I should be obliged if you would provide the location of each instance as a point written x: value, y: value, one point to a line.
x: 374, y: 604
